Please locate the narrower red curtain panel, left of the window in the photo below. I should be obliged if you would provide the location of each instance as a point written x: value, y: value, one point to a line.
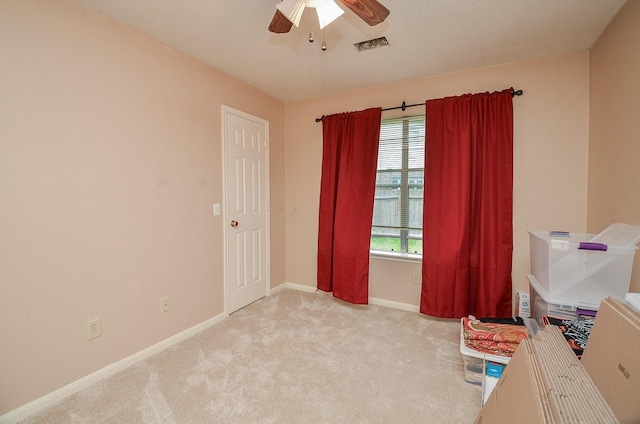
x: 347, y: 189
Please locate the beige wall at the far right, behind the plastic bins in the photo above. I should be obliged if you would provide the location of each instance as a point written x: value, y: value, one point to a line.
x: 614, y: 138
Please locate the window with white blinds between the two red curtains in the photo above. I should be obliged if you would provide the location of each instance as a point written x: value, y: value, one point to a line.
x: 397, y: 208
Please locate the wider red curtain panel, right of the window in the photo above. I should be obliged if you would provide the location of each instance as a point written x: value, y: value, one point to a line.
x: 468, y: 206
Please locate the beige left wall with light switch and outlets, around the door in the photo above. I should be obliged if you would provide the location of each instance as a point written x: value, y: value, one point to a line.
x: 110, y: 161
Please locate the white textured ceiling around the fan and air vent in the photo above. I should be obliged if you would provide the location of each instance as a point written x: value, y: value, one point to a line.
x: 426, y: 37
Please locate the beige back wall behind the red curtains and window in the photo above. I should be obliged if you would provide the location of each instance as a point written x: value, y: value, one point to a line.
x: 551, y: 146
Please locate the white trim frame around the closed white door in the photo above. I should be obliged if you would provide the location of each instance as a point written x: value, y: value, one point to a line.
x: 225, y: 211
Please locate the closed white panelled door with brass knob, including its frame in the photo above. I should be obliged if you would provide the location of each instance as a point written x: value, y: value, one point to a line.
x: 246, y: 169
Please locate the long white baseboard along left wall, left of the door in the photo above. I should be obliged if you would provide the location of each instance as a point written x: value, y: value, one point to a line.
x: 52, y: 398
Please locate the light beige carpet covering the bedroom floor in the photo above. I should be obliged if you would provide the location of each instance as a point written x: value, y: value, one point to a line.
x: 293, y: 357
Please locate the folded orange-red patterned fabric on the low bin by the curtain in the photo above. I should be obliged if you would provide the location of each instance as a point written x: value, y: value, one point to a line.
x: 493, y: 338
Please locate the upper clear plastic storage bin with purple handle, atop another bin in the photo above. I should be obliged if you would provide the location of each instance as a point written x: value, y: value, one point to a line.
x: 573, y: 276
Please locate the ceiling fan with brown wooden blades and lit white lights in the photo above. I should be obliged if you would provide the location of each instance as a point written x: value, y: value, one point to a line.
x: 290, y: 11
